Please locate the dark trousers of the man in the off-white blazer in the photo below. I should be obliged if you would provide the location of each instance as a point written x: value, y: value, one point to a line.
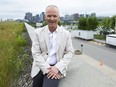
x: 41, y: 80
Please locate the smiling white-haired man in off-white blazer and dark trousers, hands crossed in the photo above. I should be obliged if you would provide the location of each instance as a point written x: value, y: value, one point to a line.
x: 52, y: 51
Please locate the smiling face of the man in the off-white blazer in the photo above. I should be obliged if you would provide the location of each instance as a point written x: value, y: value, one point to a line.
x: 52, y: 17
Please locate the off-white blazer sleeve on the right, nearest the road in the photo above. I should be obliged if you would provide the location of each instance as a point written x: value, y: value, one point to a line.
x: 63, y: 63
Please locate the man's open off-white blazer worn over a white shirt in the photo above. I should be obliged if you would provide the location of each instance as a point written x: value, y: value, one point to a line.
x: 40, y: 50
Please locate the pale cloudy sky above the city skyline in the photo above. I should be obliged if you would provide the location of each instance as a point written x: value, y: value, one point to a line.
x: 16, y: 9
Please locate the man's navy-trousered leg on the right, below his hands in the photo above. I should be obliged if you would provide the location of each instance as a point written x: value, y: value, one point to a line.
x: 48, y: 82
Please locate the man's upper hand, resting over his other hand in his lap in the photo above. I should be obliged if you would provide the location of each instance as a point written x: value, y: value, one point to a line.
x: 54, y: 73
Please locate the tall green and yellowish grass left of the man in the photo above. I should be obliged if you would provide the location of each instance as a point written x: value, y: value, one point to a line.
x: 11, y: 44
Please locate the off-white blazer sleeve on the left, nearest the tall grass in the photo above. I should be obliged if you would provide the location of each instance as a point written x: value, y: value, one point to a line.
x: 37, y: 54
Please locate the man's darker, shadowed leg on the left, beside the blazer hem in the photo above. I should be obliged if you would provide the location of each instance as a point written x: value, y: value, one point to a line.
x: 38, y: 80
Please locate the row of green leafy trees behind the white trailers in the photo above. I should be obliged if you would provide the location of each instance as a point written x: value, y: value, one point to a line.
x: 92, y: 23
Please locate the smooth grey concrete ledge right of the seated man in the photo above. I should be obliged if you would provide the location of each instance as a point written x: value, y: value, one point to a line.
x: 81, y: 74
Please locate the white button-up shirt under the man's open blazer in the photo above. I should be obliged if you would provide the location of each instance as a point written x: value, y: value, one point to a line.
x: 52, y: 57
